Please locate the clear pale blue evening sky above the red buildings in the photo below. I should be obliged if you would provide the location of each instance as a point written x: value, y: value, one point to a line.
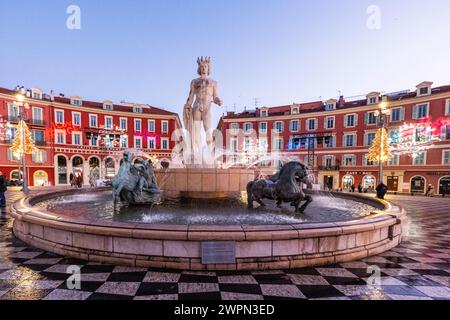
x: 280, y: 51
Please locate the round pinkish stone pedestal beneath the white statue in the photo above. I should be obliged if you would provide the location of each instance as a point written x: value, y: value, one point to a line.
x: 203, y: 183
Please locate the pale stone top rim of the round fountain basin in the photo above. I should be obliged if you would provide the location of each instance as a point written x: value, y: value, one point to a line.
x: 24, y: 209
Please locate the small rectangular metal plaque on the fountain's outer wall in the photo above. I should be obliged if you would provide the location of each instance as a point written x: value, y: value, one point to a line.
x: 218, y: 252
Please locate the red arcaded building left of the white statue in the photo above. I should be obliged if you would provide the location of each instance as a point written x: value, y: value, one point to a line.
x: 76, y: 135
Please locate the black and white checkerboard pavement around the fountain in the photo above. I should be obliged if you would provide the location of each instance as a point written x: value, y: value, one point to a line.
x: 417, y: 269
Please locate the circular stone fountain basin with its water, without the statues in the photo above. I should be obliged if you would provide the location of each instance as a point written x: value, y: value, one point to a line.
x: 337, y: 227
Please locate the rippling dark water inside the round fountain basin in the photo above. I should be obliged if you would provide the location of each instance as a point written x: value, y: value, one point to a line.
x: 99, y: 206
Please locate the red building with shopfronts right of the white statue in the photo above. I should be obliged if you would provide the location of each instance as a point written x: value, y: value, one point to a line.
x: 340, y: 162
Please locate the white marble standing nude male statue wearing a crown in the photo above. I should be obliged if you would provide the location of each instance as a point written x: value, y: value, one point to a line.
x: 197, y: 110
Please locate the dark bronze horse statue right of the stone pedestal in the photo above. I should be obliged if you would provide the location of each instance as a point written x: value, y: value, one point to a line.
x: 282, y: 187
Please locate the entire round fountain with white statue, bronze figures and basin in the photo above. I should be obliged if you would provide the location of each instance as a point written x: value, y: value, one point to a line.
x: 201, y: 217
